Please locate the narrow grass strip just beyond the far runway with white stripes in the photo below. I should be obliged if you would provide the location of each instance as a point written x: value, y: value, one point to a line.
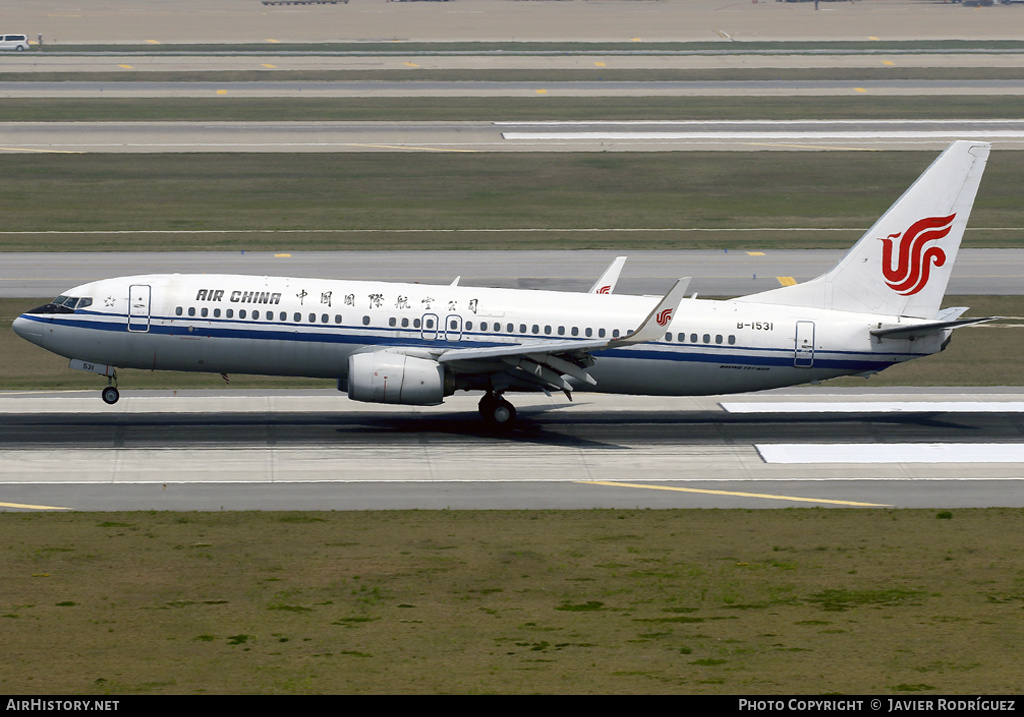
x: 489, y: 109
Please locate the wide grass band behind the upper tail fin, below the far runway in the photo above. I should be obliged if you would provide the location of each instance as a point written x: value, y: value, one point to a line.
x: 380, y: 201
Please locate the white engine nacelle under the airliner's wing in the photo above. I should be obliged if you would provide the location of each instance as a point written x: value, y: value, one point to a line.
x: 383, y: 377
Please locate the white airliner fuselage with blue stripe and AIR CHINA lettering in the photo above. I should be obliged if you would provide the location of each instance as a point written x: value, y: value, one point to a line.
x: 310, y: 327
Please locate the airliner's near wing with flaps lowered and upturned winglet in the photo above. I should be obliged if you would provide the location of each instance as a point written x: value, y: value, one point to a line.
x: 546, y: 363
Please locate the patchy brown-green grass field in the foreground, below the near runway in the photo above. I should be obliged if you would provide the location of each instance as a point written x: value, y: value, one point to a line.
x: 605, y: 602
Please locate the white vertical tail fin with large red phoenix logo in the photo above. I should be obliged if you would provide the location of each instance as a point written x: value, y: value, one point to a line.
x: 903, y: 265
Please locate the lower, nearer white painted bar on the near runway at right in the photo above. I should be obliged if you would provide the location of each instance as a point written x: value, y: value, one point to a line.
x: 892, y: 453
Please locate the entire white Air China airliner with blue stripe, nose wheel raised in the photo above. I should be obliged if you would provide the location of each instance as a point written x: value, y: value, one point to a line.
x: 415, y: 345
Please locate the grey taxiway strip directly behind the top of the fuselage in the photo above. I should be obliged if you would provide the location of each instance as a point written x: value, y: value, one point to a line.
x: 715, y: 273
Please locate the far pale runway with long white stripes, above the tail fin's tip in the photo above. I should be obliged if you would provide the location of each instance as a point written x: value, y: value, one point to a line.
x: 21, y: 138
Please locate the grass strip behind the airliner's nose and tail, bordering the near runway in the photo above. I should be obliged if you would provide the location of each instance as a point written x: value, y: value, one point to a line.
x: 977, y: 357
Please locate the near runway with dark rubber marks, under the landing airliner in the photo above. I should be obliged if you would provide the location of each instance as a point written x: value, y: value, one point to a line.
x: 316, y: 450
